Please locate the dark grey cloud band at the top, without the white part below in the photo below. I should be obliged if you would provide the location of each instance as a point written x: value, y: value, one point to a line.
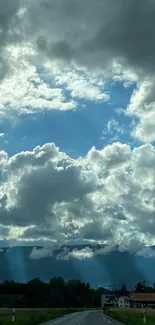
x: 87, y: 32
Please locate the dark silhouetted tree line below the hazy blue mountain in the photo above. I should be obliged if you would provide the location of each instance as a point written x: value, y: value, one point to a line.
x: 59, y: 293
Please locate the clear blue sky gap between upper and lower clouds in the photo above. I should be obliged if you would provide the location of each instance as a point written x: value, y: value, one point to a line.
x: 75, y: 131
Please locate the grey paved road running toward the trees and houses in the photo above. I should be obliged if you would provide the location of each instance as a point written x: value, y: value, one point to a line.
x: 84, y: 318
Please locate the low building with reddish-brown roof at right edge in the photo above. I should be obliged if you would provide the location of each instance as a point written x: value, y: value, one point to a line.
x: 140, y: 300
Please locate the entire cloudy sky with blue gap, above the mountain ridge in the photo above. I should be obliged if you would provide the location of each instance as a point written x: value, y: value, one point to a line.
x: 77, y: 125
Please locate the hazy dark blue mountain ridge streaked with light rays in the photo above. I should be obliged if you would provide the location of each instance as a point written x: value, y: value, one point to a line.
x: 103, y: 270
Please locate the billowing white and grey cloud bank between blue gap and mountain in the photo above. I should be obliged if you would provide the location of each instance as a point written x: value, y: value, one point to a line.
x: 106, y: 197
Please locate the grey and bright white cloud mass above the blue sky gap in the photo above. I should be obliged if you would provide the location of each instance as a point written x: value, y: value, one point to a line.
x: 50, y: 47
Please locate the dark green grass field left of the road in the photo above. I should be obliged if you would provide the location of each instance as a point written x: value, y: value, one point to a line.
x: 32, y: 316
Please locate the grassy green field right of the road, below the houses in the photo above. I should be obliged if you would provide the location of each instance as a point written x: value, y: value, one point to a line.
x: 131, y: 316
